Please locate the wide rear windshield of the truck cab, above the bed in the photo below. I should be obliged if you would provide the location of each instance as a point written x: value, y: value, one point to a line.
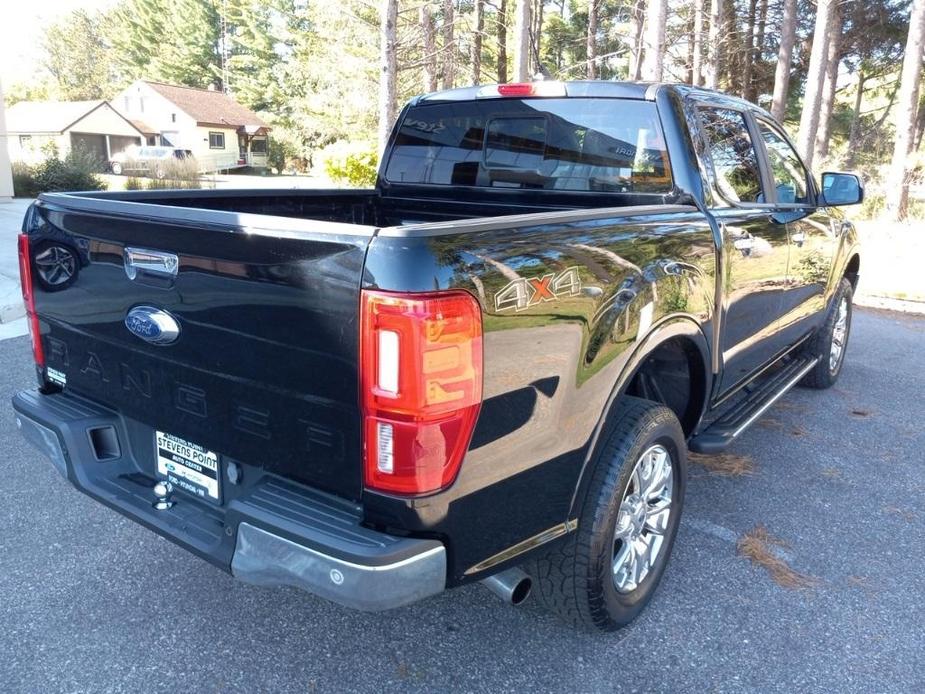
x: 576, y: 145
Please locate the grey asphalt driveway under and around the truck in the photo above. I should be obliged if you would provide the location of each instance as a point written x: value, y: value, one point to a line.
x: 92, y: 602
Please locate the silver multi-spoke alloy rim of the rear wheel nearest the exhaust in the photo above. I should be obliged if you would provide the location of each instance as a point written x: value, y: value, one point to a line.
x: 642, y: 519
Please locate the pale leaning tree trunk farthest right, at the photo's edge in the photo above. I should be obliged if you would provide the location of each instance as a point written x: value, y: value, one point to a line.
x: 897, y: 191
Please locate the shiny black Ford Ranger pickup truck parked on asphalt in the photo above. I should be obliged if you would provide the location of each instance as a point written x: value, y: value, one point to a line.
x: 488, y: 368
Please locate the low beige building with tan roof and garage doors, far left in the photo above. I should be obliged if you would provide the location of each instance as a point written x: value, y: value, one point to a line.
x: 94, y: 126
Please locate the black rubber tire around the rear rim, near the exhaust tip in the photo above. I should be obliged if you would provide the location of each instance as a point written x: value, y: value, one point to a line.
x: 575, y: 579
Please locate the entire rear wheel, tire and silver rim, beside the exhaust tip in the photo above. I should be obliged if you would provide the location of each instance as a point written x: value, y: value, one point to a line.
x: 607, y: 570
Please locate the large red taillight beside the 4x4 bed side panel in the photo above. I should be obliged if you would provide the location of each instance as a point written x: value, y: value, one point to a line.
x: 421, y: 387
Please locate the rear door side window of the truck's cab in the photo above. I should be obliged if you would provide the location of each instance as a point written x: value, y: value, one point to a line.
x: 735, y: 162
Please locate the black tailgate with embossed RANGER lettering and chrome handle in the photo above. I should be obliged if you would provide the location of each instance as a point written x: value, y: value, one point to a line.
x: 264, y: 368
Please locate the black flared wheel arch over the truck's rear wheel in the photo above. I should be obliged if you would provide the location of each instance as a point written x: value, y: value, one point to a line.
x: 672, y: 333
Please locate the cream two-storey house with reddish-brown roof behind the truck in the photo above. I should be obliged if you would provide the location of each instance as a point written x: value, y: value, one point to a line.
x: 221, y: 133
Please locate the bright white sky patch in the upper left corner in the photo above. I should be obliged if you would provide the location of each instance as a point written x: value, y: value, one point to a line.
x: 21, y: 32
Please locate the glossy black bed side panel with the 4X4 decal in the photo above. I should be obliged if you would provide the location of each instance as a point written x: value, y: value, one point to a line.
x: 566, y: 299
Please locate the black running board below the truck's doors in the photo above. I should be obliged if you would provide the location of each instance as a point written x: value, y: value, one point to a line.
x: 716, y: 437
